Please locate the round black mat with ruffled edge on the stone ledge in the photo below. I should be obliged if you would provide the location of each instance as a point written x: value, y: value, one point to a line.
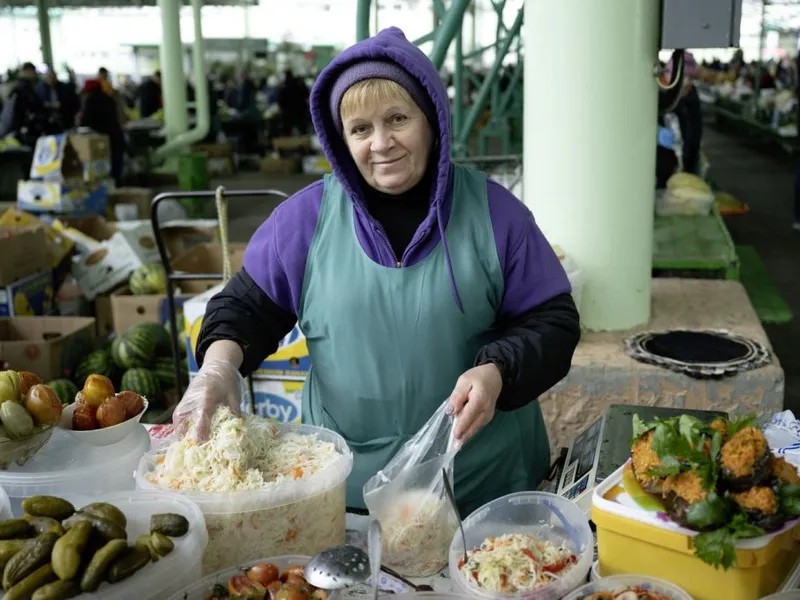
x: 702, y: 354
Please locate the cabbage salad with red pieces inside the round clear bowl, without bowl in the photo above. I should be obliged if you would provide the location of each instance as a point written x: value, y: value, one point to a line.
x: 516, y: 562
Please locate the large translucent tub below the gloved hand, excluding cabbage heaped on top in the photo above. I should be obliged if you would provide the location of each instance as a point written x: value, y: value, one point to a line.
x: 301, y: 517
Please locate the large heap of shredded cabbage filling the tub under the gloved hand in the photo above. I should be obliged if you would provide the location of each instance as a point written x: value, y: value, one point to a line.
x: 246, y: 478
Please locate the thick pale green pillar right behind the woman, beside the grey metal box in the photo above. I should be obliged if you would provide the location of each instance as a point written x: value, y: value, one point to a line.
x: 590, y: 143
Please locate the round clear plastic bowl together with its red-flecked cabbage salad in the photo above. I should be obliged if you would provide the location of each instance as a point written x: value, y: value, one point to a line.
x: 531, y: 545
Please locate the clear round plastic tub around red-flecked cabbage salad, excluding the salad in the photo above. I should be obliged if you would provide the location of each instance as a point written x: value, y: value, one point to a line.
x: 541, y: 515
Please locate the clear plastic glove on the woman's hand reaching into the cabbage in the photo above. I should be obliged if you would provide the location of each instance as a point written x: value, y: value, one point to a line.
x: 218, y: 383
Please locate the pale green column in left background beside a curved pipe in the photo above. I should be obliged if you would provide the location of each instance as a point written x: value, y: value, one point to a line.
x: 173, y: 80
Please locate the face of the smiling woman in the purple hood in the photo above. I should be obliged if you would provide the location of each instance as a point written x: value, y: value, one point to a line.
x: 390, y: 145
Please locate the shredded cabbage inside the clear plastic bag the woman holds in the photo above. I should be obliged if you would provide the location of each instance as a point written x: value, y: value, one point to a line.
x: 417, y: 529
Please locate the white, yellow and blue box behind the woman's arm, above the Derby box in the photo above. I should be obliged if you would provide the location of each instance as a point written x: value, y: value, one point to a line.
x: 290, y: 362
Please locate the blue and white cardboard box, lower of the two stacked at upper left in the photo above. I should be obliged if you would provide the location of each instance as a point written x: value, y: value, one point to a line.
x: 62, y: 198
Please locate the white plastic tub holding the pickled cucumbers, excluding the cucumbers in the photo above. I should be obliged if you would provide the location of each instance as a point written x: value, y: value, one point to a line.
x: 157, y: 580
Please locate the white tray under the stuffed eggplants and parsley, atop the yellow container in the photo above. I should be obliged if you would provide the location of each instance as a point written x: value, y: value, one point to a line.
x: 624, y: 506
